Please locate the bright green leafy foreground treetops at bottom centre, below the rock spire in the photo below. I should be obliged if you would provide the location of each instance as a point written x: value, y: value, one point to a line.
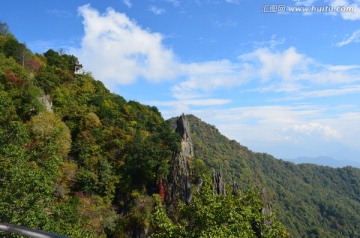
x: 210, y: 215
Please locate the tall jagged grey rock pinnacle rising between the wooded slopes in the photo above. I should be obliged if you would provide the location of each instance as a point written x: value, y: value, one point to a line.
x: 179, y: 179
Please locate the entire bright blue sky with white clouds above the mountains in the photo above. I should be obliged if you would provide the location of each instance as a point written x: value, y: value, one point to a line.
x: 278, y: 81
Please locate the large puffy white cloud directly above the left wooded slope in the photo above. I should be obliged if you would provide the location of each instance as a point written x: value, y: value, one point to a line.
x: 118, y: 51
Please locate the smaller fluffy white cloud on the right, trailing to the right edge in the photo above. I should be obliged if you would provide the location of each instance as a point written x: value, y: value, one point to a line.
x: 291, y: 67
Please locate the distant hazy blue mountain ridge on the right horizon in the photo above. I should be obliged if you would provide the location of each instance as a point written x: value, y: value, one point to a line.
x: 325, y: 161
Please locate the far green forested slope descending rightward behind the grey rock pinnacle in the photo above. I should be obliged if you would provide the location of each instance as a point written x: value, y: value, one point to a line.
x: 310, y: 200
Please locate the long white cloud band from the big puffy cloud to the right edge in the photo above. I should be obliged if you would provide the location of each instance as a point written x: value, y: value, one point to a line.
x: 280, y: 71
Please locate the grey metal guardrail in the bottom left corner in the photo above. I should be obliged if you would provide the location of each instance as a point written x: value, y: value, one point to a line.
x: 25, y: 231
